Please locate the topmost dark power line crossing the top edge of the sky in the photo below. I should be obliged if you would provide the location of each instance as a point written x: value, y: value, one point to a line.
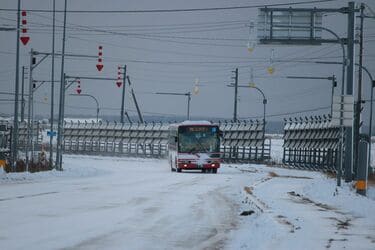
x: 172, y: 10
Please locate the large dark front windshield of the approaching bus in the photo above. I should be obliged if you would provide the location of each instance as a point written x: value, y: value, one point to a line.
x: 198, y: 139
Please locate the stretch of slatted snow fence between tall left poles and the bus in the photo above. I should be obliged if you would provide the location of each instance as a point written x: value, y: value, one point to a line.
x: 136, y: 139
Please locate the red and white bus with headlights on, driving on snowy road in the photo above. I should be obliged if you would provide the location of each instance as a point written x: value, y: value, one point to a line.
x: 194, y: 145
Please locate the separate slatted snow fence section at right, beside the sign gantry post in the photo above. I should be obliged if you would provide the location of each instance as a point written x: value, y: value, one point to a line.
x: 311, y: 143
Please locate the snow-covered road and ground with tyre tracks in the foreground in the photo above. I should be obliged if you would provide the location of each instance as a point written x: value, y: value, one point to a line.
x: 124, y: 203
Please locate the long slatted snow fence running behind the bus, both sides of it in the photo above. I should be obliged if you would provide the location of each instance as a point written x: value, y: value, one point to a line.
x: 242, y: 141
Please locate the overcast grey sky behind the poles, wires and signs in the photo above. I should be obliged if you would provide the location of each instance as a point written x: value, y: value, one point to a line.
x: 167, y: 52
